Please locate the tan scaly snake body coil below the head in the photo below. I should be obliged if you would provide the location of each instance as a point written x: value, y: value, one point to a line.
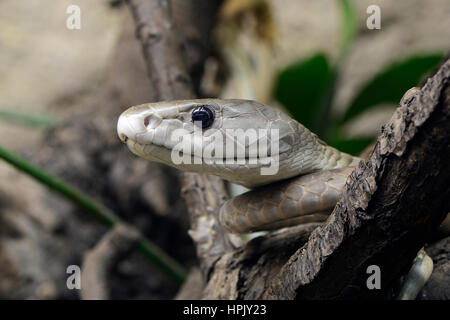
x: 303, y: 199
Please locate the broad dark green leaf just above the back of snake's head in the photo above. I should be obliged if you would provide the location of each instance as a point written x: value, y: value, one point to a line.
x: 302, y: 87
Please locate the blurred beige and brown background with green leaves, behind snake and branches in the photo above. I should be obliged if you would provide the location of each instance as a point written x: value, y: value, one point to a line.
x: 61, y: 92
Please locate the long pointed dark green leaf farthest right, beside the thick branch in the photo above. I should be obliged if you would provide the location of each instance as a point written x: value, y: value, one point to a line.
x: 390, y: 85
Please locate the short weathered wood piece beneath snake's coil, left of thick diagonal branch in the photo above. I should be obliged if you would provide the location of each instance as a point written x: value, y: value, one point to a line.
x: 246, y: 273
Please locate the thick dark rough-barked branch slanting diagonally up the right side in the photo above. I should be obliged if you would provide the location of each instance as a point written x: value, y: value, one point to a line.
x: 391, y: 205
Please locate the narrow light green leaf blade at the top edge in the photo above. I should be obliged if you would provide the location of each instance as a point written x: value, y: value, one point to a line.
x: 349, y: 27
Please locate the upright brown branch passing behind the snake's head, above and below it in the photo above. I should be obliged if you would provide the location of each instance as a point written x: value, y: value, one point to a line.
x: 157, y: 31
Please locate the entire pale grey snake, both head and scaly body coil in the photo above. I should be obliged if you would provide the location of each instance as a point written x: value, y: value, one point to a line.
x: 306, y: 187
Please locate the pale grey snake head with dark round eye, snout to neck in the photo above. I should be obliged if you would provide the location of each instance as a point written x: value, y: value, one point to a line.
x: 242, y: 141
